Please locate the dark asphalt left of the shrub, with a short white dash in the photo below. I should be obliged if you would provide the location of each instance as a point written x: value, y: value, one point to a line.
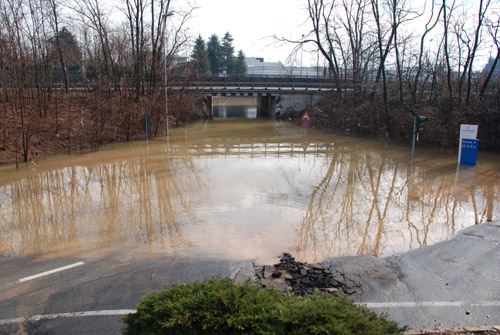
x: 105, y: 289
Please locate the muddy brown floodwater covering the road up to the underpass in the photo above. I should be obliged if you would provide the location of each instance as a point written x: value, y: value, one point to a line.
x: 244, y: 189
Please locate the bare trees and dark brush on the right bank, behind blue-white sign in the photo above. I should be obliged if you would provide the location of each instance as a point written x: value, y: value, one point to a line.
x: 392, y: 59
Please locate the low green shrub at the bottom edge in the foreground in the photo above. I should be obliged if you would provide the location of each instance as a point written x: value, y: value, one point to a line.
x: 218, y: 306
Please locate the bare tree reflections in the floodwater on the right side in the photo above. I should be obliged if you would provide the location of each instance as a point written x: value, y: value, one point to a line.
x: 368, y: 203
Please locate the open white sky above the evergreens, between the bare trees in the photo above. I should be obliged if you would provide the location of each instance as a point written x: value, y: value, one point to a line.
x: 252, y: 24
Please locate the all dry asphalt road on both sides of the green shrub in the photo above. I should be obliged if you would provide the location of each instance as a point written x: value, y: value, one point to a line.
x: 452, y: 283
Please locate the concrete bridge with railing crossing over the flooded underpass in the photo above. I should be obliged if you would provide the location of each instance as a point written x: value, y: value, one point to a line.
x: 288, y: 92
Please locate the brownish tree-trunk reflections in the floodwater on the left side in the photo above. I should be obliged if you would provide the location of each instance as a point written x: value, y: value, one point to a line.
x: 142, y: 199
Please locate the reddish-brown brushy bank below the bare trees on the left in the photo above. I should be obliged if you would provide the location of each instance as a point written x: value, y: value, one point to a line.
x: 37, y: 124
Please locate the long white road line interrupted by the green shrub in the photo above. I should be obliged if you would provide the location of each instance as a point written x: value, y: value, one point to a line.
x: 120, y: 312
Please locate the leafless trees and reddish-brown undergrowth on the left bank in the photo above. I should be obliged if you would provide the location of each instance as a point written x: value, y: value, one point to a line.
x: 63, y: 89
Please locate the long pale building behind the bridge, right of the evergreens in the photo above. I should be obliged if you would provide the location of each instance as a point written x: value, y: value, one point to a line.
x: 258, y: 67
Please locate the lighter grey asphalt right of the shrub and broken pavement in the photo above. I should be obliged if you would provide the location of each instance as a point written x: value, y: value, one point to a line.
x: 453, y: 283
